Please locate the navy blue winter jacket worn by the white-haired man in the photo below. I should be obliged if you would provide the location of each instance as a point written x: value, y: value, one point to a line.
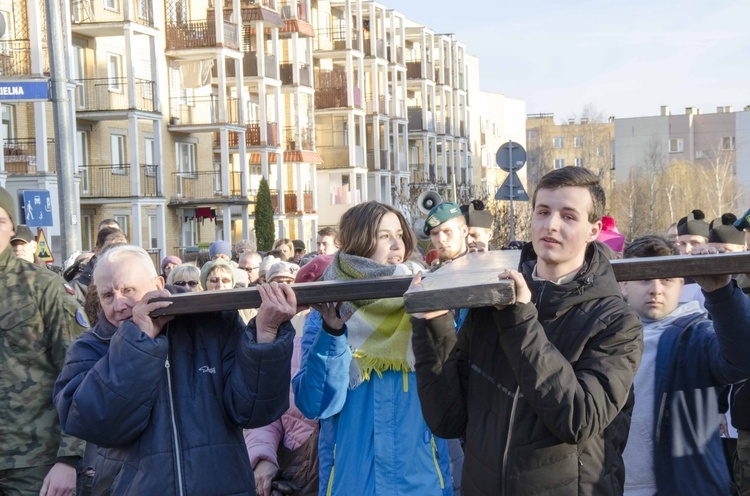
x: 167, y: 413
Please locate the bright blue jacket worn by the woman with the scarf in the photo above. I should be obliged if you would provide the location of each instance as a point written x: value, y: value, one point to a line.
x: 373, y: 438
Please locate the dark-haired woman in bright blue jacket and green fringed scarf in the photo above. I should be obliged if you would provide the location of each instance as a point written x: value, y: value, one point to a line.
x: 357, y: 372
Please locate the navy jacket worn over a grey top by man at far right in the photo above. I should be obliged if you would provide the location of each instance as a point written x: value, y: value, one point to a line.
x: 692, y: 361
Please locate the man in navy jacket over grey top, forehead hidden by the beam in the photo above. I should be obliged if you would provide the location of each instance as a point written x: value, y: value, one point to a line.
x: 676, y: 448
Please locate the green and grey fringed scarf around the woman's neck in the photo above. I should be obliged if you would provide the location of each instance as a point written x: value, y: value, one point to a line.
x: 379, y: 331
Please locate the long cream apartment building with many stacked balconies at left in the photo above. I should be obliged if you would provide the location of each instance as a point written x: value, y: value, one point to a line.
x: 182, y: 107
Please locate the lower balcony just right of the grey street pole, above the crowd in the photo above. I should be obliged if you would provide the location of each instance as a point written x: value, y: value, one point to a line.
x: 113, y: 181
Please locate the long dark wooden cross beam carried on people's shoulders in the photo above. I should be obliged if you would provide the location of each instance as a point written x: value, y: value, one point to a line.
x: 468, y: 282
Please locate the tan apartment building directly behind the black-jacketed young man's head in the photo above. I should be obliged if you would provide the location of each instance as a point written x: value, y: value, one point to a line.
x: 577, y: 142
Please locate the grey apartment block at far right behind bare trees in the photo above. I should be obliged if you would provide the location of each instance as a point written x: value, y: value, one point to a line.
x: 692, y: 136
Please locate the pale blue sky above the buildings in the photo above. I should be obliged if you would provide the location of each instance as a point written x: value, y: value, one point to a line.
x: 624, y: 58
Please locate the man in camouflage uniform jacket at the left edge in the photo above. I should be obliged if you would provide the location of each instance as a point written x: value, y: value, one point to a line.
x: 39, y: 318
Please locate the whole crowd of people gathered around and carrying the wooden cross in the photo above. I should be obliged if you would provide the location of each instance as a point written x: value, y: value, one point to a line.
x: 584, y: 385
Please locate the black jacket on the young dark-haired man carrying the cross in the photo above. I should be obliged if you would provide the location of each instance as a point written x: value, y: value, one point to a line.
x: 541, y: 391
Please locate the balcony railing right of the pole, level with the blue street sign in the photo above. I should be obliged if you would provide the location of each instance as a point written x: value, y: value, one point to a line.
x: 108, y: 94
